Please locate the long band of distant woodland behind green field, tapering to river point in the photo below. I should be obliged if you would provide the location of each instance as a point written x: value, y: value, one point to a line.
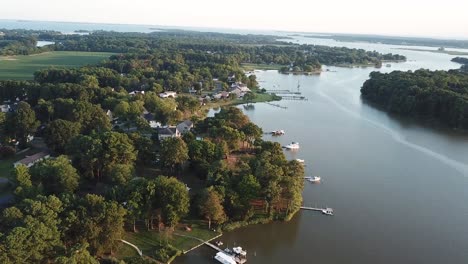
x: 231, y: 48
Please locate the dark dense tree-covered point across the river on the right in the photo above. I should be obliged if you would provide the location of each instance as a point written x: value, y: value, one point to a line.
x: 432, y: 95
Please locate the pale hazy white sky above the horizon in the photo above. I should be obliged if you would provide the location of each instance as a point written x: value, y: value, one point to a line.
x: 447, y: 18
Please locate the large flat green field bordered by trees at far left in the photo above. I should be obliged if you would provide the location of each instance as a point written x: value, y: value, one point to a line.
x: 23, y: 67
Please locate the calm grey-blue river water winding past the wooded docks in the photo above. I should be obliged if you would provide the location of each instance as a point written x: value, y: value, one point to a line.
x: 399, y: 189
